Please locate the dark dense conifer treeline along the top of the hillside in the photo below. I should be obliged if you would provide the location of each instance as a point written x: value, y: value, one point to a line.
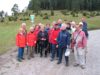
x: 90, y: 5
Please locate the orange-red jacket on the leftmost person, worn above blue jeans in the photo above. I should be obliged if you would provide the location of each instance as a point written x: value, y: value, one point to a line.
x: 20, y: 40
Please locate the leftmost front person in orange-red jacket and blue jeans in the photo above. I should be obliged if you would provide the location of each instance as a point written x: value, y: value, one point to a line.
x: 21, y: 43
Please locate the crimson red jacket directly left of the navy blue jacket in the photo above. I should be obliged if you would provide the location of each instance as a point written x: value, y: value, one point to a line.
x: 54, y: 36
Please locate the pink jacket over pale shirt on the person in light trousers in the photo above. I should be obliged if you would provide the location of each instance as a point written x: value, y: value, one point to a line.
x: 81, y: 40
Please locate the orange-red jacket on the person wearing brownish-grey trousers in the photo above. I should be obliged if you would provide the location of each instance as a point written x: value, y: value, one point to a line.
x: 31, y: 39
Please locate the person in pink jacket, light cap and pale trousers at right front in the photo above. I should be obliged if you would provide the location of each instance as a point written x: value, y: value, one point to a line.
x: 80, y: 41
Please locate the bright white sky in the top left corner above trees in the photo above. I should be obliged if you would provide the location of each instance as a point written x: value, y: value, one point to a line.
x: 6, y: 5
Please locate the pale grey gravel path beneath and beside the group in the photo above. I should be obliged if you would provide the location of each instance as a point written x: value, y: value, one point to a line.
x: 43, y: 66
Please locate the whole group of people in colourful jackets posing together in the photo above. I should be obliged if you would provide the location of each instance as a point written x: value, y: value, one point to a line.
x: 57, y: 40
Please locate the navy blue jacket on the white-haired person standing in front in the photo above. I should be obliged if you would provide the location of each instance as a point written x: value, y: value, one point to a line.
x: 63, y: 38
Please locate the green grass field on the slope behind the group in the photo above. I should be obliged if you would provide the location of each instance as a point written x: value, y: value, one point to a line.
x: 8, y: 30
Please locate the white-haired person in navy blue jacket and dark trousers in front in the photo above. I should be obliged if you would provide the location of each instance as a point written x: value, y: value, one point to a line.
x: 63, y: 42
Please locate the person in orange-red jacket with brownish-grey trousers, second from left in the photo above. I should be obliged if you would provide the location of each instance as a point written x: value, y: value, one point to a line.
x: 31, y: 42
